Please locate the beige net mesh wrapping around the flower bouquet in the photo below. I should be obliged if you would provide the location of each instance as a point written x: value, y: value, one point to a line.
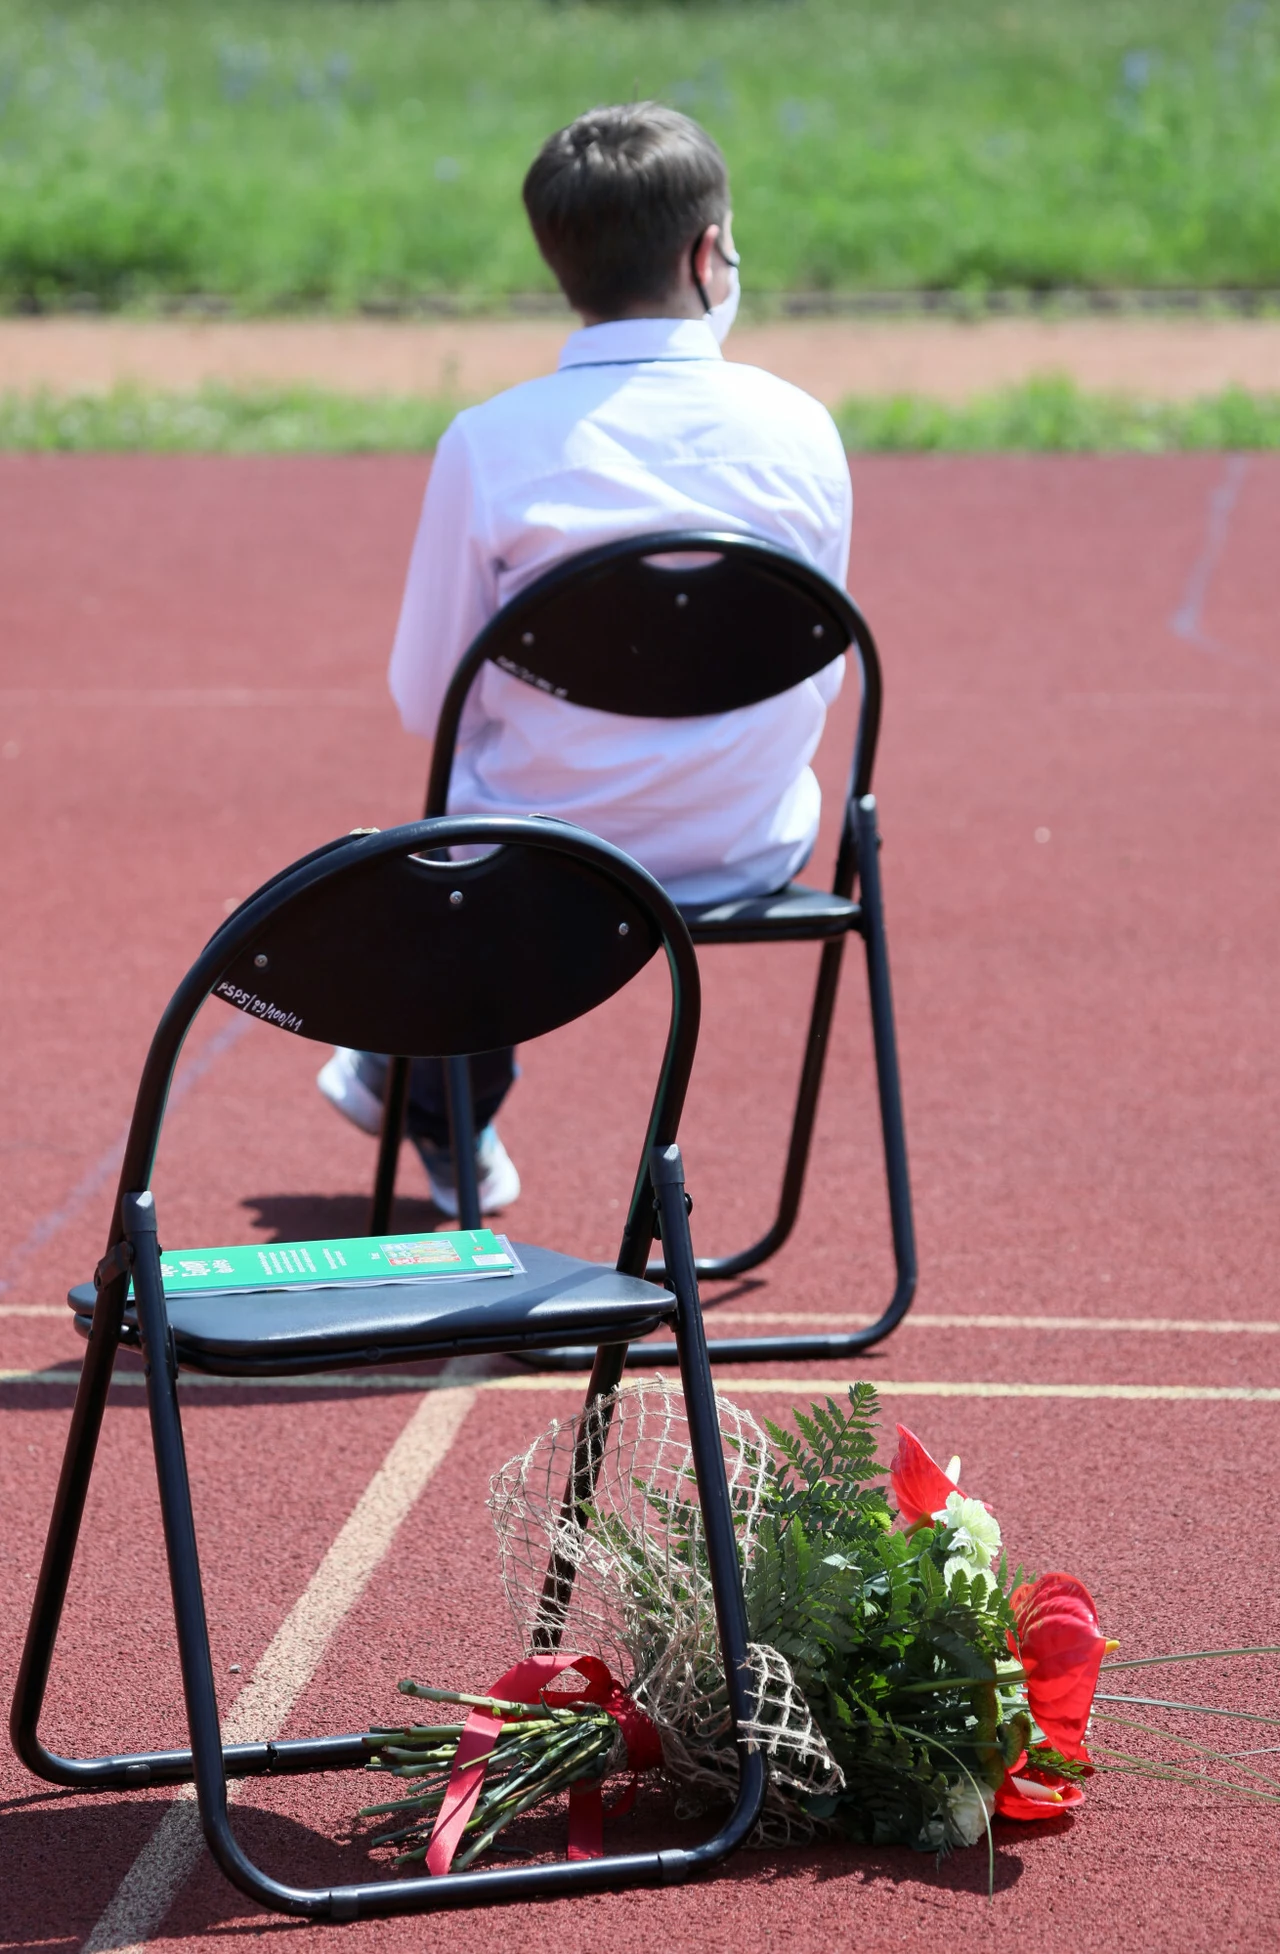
x: 642, y: 1595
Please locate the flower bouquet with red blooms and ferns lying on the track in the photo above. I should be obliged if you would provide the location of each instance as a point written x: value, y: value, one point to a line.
x: 908, y: 1683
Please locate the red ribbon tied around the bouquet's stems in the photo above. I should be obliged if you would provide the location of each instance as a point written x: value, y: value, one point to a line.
x: 525, y: 1685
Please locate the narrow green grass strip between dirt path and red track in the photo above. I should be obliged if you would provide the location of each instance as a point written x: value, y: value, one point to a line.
x: 1043, y: 417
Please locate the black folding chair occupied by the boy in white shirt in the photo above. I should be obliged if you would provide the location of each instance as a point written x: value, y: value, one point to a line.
x: 669, y: 628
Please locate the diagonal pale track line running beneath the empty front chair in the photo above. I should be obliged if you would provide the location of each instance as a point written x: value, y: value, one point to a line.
x: 290, y: 1660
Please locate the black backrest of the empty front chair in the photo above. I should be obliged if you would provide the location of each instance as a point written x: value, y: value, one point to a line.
x: 386, y: 945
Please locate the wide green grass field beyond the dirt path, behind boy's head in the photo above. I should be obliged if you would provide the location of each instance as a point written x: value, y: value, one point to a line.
x: 341, y: 153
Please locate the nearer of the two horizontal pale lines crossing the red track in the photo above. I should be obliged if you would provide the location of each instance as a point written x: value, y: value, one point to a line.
x: 374, y: 1381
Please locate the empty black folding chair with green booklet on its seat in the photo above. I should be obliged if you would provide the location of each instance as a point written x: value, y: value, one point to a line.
x: 368, y: 943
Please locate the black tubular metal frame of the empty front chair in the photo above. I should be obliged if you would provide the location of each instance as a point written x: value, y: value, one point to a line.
x: 134, y: 1253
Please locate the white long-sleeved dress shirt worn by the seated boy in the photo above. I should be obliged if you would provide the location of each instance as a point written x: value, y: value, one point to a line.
x: 646, y: 427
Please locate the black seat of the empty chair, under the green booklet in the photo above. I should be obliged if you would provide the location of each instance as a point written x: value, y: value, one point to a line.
x: 288, y: 1332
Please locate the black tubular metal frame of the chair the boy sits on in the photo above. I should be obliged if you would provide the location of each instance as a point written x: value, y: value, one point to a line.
x: 726, y: 923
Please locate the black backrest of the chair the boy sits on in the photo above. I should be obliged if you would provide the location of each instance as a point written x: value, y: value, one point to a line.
x: 671, y: 626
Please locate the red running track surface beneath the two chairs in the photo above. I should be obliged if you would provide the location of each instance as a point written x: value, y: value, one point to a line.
x: 1078, y: 650
